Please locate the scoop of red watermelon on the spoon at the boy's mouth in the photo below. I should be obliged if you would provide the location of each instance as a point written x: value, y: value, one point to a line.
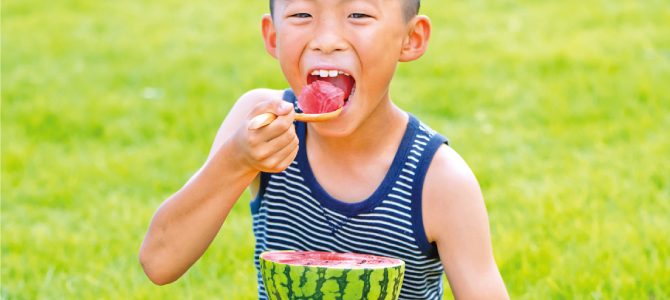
x: 320, y: 97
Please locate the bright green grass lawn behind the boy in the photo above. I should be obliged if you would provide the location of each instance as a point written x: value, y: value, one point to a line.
x: 562, y: 108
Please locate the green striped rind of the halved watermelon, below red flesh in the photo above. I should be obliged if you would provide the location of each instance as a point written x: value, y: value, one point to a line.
x: 285, y: 282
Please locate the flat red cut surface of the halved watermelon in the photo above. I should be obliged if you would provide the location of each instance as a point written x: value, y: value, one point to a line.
x: 330, y: 260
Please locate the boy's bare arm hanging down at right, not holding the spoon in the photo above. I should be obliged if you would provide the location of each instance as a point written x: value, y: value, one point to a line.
x: 455, y: 219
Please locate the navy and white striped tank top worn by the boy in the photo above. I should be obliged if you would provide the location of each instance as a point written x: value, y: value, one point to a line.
x: 293, y: 212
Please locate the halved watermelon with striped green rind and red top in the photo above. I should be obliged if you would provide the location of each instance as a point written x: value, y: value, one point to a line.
x: 326, y: 275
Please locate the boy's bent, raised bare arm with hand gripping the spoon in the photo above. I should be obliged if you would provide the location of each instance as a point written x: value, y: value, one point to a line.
x: 187, y: 222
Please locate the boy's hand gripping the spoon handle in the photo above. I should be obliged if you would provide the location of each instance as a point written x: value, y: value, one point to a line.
x: 271, y: 148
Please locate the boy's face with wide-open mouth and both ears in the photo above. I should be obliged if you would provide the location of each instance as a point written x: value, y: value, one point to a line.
x: 362, y: 38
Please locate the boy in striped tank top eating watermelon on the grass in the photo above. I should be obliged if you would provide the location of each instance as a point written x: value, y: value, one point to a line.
x: 373, y: 180
